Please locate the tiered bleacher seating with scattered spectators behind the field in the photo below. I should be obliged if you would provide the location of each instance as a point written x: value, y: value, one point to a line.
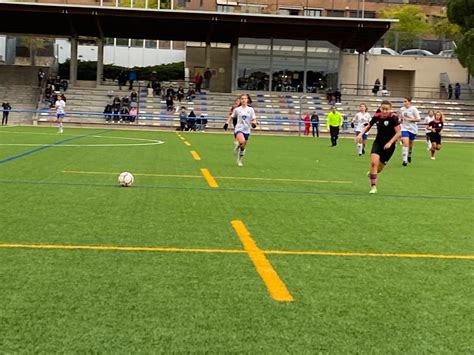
x: 276, y: 112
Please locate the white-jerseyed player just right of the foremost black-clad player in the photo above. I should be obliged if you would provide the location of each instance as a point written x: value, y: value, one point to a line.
x: 409, y: 117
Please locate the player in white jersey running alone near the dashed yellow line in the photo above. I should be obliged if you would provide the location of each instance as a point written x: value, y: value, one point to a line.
x: 246, y: 120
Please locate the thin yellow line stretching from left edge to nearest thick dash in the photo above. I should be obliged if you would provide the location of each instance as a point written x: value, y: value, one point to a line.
x: 118, y: 248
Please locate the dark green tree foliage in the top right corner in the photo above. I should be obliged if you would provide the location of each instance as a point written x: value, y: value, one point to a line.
x: 461, y: 12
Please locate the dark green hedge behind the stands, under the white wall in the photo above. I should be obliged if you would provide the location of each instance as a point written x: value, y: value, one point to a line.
x: 88, y: 70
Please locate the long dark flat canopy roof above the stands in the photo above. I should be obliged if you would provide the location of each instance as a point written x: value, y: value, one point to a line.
x: 60, y: 20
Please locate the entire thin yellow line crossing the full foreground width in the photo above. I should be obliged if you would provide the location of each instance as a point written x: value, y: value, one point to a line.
x: 233, y: 251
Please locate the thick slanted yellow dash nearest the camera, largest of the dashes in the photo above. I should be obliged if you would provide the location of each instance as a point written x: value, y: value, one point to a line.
x: 275, y: 286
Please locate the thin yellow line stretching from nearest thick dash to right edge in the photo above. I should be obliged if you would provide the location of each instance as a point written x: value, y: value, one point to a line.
x: 389, y: 255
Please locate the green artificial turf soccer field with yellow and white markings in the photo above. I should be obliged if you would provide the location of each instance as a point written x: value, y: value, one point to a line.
x: 288, y: 253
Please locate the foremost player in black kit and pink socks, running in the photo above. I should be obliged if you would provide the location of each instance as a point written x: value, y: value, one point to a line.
x: 388, y: 132
